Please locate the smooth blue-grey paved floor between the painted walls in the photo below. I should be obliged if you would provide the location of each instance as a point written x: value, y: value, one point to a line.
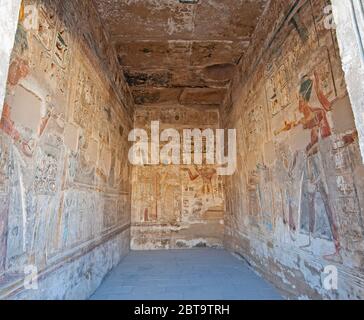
x: 198, y: 274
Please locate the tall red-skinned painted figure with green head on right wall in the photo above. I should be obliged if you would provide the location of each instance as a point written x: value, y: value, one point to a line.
x: 315, y: 194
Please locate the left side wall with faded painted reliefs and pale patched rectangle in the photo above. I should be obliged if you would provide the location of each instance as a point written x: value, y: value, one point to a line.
x: 64, y: 178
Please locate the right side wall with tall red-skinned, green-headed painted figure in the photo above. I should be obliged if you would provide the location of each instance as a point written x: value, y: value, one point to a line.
x: 295, y: 204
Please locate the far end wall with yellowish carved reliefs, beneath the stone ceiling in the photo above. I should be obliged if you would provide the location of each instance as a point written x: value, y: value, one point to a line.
x: 176, y: 206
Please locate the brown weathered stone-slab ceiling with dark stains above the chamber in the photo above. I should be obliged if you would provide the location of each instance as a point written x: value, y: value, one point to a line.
x: 173, y: 52
